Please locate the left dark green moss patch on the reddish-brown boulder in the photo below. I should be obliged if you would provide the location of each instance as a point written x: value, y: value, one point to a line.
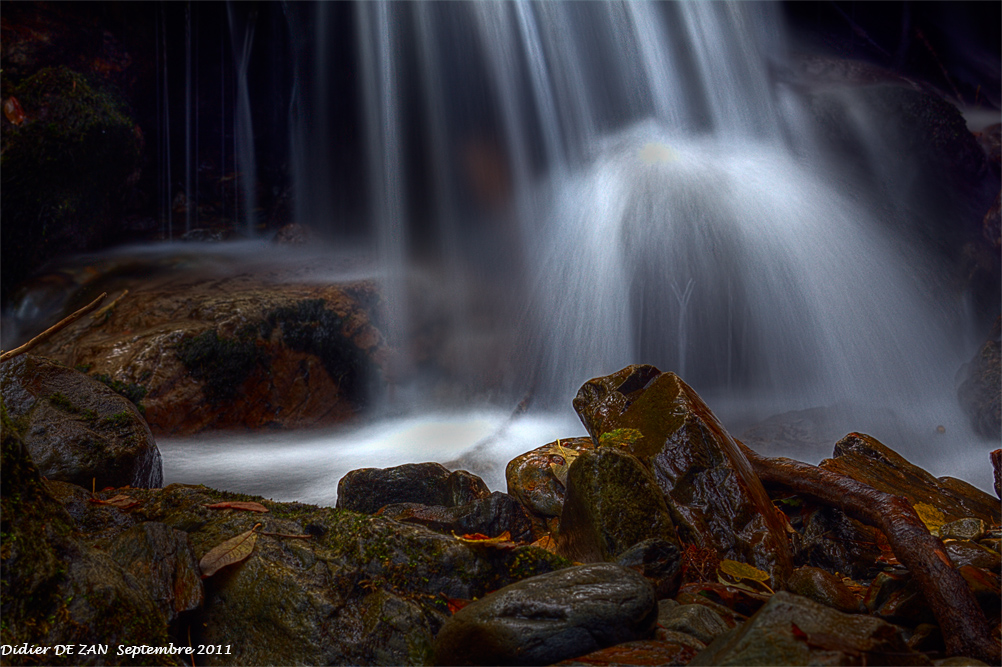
x: 221, y: 364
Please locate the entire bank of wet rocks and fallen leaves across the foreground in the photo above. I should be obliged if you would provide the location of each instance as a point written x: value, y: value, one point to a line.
x: 655, y: 541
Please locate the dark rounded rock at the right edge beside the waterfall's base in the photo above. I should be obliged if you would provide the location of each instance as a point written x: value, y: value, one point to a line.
x: 978, y: 391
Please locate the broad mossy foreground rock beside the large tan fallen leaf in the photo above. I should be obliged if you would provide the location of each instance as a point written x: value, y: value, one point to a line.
x: 351, y: 589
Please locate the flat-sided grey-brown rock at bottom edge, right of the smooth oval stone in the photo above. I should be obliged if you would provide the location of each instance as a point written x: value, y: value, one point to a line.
x: 792, y: 630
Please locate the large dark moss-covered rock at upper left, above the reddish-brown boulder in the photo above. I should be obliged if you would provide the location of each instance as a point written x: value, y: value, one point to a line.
x: 64, y: 171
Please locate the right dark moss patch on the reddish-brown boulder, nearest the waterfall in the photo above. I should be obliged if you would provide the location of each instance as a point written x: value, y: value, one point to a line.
x: 310, y: 328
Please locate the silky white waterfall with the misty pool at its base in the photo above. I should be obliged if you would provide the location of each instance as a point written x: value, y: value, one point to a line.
x: 581, y: 187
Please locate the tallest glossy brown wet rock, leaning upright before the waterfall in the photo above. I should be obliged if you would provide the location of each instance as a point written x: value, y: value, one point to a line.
x: 707, y: 480
